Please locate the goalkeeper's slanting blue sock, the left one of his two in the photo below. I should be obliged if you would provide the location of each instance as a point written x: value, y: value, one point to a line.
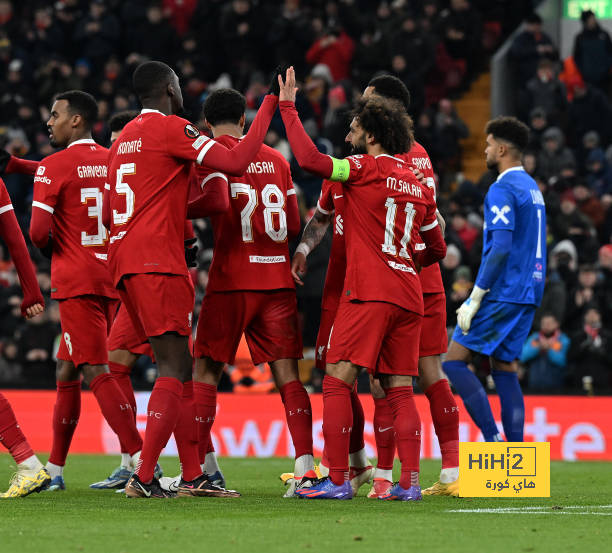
x: 473, y: 395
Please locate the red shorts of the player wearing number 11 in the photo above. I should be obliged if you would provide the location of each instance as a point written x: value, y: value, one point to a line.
x: 380, y: 336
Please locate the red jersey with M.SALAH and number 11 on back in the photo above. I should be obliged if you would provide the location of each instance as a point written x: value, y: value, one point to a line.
x: 385, y: 208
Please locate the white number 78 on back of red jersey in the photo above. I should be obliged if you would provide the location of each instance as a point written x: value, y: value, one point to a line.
x: 273, y: 201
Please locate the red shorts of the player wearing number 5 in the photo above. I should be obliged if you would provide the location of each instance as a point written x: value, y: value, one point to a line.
x: 158, y: 303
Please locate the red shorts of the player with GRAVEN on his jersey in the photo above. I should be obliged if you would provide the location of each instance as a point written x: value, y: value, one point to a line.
x: 86, y: 321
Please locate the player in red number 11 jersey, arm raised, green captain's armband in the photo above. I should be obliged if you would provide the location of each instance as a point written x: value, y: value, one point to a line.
x: 387, y: 211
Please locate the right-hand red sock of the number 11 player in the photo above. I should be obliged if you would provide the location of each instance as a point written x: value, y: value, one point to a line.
x: 407, y: 425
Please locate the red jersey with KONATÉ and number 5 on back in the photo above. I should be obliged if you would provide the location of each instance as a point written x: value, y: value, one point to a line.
x: 149, y: 167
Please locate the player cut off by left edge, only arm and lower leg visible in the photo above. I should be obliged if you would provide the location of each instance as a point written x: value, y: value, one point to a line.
x: 30, y: 476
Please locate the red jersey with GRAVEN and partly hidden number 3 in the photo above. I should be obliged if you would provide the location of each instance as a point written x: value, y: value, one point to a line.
x: 70, y: 185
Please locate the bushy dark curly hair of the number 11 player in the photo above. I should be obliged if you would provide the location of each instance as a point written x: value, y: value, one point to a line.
x: 387, y: 121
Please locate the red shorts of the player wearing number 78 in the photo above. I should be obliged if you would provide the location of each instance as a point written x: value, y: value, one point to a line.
x: 268, y: 319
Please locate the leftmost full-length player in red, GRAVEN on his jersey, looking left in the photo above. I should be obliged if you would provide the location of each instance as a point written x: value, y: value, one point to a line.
x: 67, y: 217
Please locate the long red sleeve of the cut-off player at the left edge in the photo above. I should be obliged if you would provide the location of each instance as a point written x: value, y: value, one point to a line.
x: 11, y: 234
